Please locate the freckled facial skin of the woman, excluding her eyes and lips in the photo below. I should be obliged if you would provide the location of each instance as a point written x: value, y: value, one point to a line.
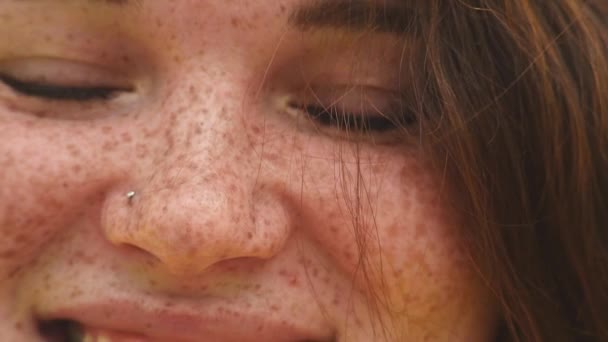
x: 234, y: 200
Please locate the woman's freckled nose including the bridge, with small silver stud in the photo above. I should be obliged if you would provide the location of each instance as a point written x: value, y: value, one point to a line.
x: 205, y: 204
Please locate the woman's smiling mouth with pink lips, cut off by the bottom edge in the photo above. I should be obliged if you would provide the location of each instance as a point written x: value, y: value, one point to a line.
x: 125, y: 320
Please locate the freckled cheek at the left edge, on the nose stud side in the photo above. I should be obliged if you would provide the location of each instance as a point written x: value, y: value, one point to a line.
x: 51, y: 176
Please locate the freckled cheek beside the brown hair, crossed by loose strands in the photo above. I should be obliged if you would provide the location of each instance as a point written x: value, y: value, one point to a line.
x: 388, y: 223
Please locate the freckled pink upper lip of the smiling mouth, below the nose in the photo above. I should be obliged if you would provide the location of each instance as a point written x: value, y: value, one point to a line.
x: 220, y: 322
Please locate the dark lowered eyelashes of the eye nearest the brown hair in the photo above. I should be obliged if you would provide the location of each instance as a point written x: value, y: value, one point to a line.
x: 333, y: 117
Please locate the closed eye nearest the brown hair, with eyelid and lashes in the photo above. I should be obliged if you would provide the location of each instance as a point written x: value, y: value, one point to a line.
x: 356, y: 111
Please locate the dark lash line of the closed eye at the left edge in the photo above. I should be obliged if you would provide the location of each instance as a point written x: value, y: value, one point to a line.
x: 60, y: 93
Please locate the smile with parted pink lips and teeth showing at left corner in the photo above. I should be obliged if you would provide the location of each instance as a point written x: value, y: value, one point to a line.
x: 106, y: 326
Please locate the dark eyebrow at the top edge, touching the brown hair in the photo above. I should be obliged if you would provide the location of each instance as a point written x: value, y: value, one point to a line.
x: 386, y: 16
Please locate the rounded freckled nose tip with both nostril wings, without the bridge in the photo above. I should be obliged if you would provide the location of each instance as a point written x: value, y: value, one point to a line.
x: 188, y: 229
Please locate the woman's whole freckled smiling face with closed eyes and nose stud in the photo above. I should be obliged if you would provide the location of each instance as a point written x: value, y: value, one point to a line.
x: 199, y: 171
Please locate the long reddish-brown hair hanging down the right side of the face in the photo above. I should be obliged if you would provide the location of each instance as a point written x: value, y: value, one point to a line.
x: 514, y: 95
